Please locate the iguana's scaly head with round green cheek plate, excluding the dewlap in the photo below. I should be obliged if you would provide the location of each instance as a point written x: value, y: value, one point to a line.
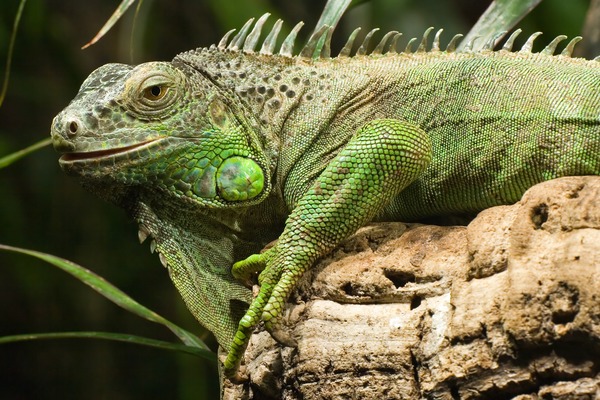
x: 165, y: 126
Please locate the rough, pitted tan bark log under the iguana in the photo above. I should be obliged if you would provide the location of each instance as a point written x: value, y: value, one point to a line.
x: 507, y: 307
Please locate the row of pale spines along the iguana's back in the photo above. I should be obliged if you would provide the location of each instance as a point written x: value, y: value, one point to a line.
x: 319, y: 44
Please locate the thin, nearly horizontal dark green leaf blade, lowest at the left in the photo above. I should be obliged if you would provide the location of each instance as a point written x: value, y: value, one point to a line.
x: 119, y: 337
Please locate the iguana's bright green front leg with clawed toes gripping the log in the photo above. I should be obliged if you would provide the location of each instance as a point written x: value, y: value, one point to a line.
x: 379, y: 161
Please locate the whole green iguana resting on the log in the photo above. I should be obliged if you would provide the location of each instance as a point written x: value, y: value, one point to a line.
x: 225, y: 149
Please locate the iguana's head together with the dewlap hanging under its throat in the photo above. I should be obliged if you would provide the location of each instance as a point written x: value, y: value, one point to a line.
x: 166, y: 143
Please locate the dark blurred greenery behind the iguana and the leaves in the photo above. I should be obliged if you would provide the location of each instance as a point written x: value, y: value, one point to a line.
x: 42, y: 209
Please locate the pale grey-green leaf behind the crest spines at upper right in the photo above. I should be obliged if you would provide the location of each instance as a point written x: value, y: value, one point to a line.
x: 501, y: 16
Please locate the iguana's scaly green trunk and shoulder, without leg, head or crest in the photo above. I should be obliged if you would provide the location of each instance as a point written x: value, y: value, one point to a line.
x: 499, y: 121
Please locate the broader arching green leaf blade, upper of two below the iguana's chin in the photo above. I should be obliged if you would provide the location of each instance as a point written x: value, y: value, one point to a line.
x: 111, y: 292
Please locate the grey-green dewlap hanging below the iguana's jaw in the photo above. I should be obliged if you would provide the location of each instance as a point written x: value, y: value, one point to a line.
x: 198, y: 246
